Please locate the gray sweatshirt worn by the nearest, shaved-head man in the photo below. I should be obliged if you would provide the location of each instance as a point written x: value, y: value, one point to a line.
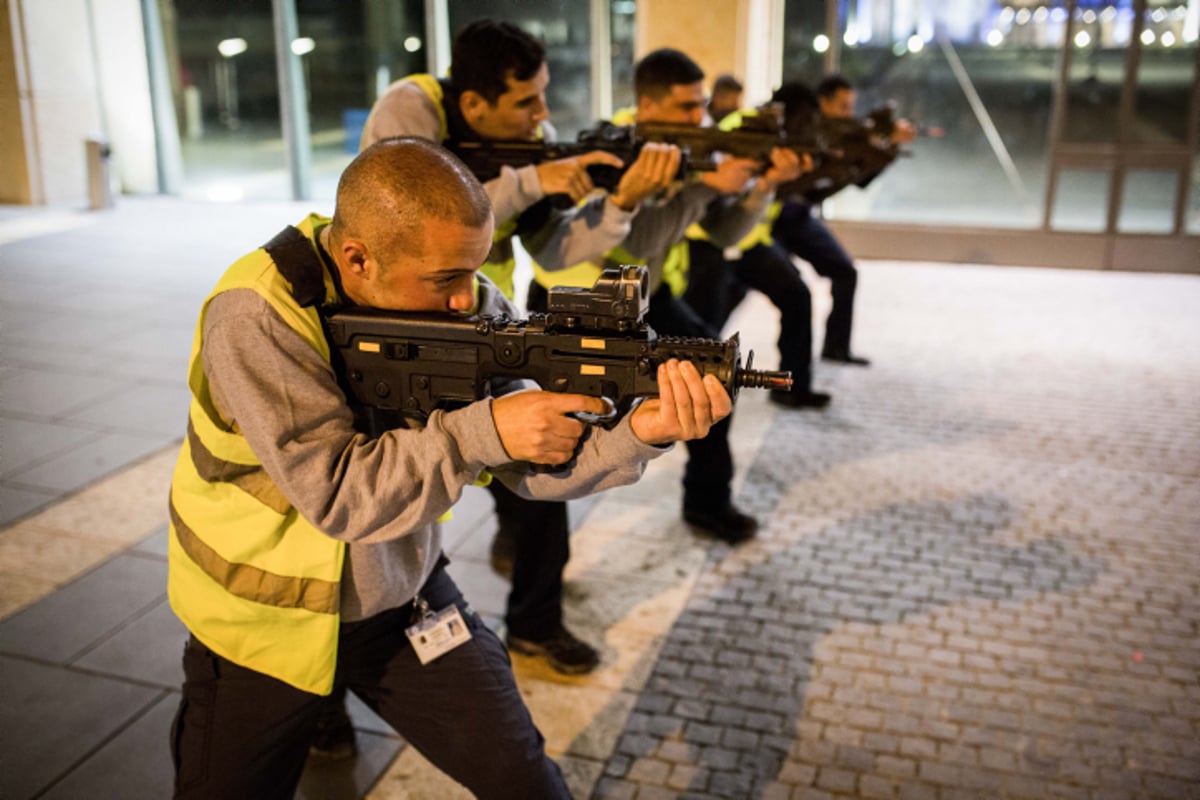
x: 380, y: 496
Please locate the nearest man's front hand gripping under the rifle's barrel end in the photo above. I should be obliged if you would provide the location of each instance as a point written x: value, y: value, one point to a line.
x: 687, y: 407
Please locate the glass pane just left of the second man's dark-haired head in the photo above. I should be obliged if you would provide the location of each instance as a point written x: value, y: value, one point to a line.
x: 351, y: 52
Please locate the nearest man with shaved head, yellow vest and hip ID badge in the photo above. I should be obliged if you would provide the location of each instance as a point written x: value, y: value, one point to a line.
x: 305, y: 555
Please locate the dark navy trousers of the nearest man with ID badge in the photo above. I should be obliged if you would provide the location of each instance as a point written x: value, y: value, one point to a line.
x: 243, y: 735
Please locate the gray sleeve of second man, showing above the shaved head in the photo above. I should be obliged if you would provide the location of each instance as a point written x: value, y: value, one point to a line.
x: 405, y: 110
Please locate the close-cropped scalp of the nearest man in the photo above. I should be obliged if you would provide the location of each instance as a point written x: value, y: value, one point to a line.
x: 394, y: 188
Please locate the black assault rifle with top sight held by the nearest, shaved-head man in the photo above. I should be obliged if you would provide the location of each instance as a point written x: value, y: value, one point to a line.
x: 590, y: 342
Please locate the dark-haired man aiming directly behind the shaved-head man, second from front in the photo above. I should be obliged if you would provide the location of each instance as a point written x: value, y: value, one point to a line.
x: 497, y: 91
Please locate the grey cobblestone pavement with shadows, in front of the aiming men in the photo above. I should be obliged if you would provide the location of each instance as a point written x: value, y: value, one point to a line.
x: 981, y: 573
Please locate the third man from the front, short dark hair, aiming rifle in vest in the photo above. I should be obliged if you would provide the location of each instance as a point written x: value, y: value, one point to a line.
x: 727, y: 202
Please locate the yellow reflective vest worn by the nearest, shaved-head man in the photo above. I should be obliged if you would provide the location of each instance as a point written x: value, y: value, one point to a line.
x: 248, y: 575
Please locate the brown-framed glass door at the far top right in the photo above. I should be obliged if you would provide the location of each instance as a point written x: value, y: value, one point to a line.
x: 1126, y: 127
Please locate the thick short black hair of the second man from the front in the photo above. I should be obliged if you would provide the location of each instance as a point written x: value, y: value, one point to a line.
x: 488, y: 52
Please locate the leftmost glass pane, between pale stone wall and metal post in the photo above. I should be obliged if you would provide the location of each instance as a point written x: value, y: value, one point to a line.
x: 223, y: 63
